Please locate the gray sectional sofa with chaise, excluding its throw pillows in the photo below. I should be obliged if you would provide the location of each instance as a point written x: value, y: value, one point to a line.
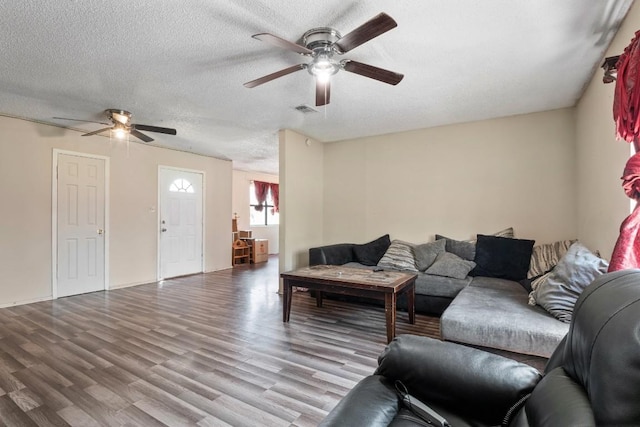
x: 481, y: 311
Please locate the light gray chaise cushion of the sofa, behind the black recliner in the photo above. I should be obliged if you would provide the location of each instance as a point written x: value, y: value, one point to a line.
x: 494, y: 313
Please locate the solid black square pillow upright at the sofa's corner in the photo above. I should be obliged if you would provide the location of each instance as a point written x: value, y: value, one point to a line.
x: 502, y: 257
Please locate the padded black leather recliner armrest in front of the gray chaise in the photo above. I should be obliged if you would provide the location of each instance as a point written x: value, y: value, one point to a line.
x: 470, y: 381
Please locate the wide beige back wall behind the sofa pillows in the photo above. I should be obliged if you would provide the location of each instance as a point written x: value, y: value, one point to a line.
x: 455, y: 180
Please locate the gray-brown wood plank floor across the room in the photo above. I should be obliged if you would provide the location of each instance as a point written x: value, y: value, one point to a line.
x: 206, y: 350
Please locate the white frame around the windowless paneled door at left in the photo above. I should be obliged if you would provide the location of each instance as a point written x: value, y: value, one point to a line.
x: 54, y: 216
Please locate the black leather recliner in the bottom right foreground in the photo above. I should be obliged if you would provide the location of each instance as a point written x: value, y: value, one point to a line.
x: 593, y: 377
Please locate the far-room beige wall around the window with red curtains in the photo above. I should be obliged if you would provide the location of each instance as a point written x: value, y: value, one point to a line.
x: 240, y: 205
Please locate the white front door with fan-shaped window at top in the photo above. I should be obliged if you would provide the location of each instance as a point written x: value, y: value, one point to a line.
x: 180, y: 222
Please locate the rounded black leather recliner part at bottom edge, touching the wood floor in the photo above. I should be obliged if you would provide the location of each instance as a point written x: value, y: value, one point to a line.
x: 372, y: 402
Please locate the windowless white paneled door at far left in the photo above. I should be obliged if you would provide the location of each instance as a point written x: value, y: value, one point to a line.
x: 80, y: 225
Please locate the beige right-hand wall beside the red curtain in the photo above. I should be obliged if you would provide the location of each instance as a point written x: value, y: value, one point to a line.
x: 602, y: 204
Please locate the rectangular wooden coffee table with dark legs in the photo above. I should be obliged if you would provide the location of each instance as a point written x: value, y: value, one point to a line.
x: 381, y: 285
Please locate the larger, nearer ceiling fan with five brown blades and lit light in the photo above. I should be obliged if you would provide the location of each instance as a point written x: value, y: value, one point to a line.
x: 322, y: 44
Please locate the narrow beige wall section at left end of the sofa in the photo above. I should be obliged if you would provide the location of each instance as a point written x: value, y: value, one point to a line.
x: 301, y: 198
